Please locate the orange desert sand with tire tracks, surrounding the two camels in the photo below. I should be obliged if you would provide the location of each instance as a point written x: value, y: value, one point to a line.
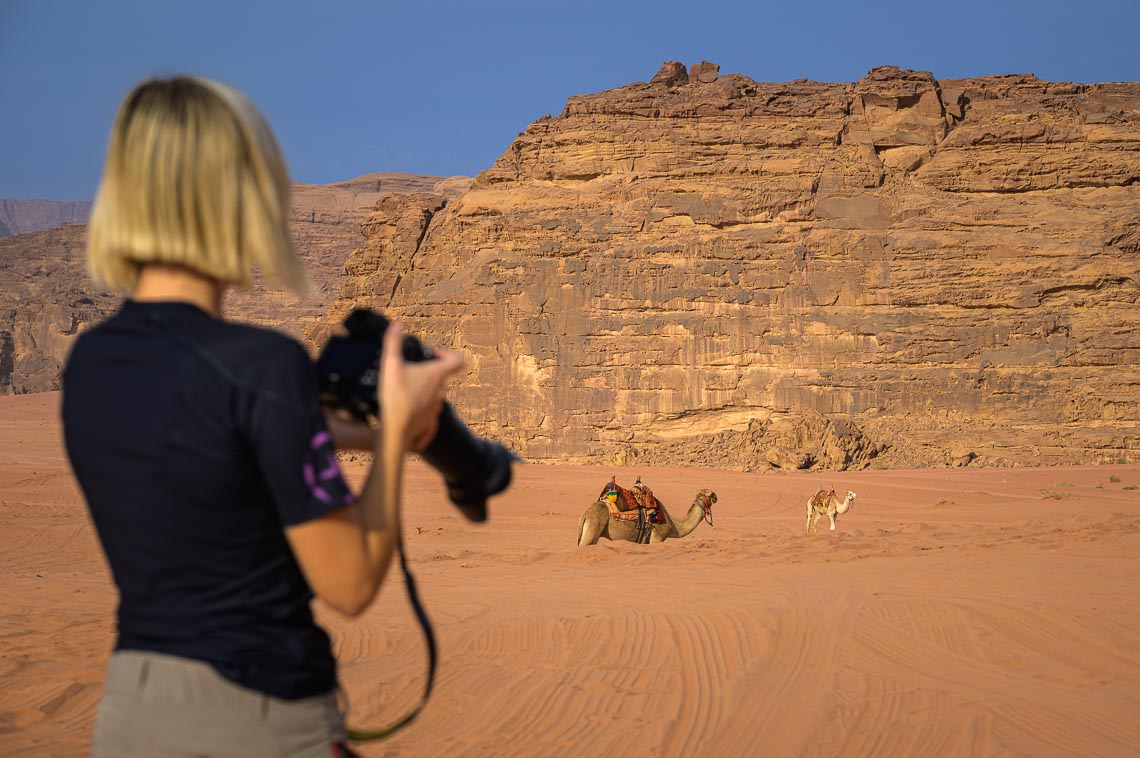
x: 954, y: 613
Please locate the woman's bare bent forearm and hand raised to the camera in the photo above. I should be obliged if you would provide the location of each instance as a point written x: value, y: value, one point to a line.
x: 346, y: 555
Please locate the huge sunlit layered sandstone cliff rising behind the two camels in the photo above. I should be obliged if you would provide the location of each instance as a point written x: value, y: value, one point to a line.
x: 713, y: 271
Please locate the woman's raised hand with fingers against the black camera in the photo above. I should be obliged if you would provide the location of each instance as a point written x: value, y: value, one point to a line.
x: 412, y: 394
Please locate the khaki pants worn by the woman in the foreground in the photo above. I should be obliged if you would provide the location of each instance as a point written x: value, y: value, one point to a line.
x: 164, y: 706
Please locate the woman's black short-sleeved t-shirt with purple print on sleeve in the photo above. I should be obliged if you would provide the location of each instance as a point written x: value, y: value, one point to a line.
x: 197, y: 442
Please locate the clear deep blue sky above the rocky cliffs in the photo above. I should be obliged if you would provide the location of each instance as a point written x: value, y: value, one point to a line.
x: 443, y: 87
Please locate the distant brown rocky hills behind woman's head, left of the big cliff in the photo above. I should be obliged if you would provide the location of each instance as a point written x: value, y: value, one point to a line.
x: 46, y: 298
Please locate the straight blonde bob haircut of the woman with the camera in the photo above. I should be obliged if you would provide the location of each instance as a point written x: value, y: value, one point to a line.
x: 193, y: 178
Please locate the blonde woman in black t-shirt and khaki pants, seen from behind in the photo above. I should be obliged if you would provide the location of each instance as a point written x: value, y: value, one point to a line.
x: 202, y: 451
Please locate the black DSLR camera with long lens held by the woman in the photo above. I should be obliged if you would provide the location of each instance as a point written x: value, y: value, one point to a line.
x: 349, y: 373
